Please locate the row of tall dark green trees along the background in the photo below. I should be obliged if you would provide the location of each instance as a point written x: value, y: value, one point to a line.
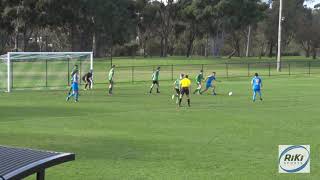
x: 159, y: 28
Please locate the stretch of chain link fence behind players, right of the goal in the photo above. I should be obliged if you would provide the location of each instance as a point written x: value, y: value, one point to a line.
x: 224, y: 70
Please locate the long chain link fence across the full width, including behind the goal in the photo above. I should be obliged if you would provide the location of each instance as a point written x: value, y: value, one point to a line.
x: 46, y: 74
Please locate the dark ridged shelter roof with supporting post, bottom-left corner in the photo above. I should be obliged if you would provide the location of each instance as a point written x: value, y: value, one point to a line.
x: 19, y: 163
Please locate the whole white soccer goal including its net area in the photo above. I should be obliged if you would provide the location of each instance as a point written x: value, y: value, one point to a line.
x: 37, y: 70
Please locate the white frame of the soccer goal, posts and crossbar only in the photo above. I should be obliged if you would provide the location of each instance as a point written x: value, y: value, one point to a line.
x: 10, y: 57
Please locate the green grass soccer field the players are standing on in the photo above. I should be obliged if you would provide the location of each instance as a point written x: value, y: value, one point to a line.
x: 133, y: 135
